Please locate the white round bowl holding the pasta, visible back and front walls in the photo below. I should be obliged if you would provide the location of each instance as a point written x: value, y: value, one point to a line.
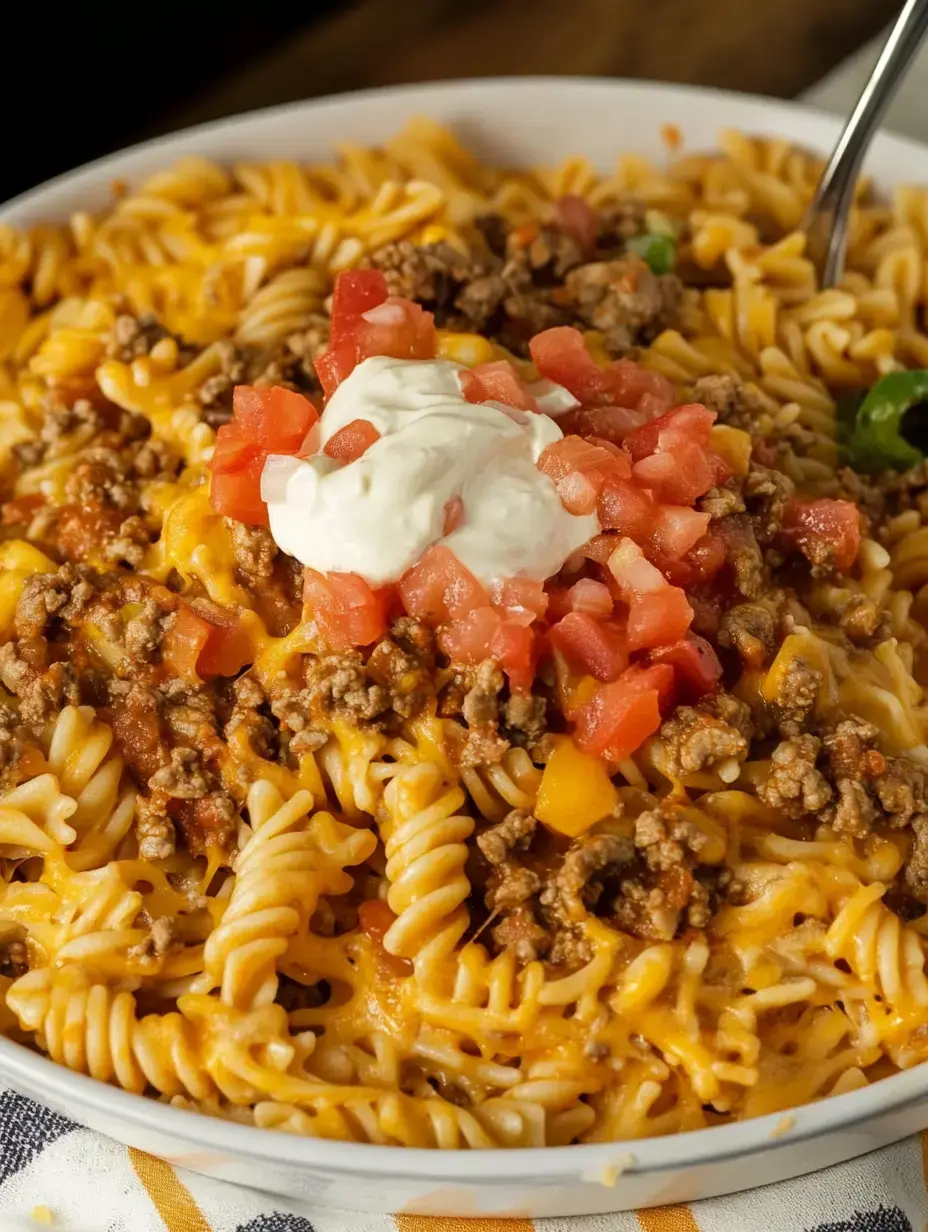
x: 521, y: 121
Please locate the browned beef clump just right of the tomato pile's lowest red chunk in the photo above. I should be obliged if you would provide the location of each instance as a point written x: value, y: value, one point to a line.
x: 701, y: 737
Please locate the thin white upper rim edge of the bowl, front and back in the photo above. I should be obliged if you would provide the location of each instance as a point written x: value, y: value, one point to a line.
x: 31, y: 1072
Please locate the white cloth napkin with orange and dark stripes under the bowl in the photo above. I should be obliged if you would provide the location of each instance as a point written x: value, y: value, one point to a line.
x: 56, y: 1175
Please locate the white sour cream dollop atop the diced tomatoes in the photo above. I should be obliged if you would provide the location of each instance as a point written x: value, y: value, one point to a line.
x: 376, y: 516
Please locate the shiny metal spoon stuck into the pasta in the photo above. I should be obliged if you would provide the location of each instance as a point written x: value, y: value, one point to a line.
x: 826, y: 224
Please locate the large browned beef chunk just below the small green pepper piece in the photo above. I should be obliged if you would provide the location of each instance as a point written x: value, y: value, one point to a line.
x: 624, y: 300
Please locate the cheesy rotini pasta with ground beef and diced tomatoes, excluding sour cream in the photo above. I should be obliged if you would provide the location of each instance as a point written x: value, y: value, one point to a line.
x: 357, y: 861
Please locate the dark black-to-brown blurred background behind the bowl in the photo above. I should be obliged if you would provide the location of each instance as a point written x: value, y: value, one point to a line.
x: 86, y: 79
